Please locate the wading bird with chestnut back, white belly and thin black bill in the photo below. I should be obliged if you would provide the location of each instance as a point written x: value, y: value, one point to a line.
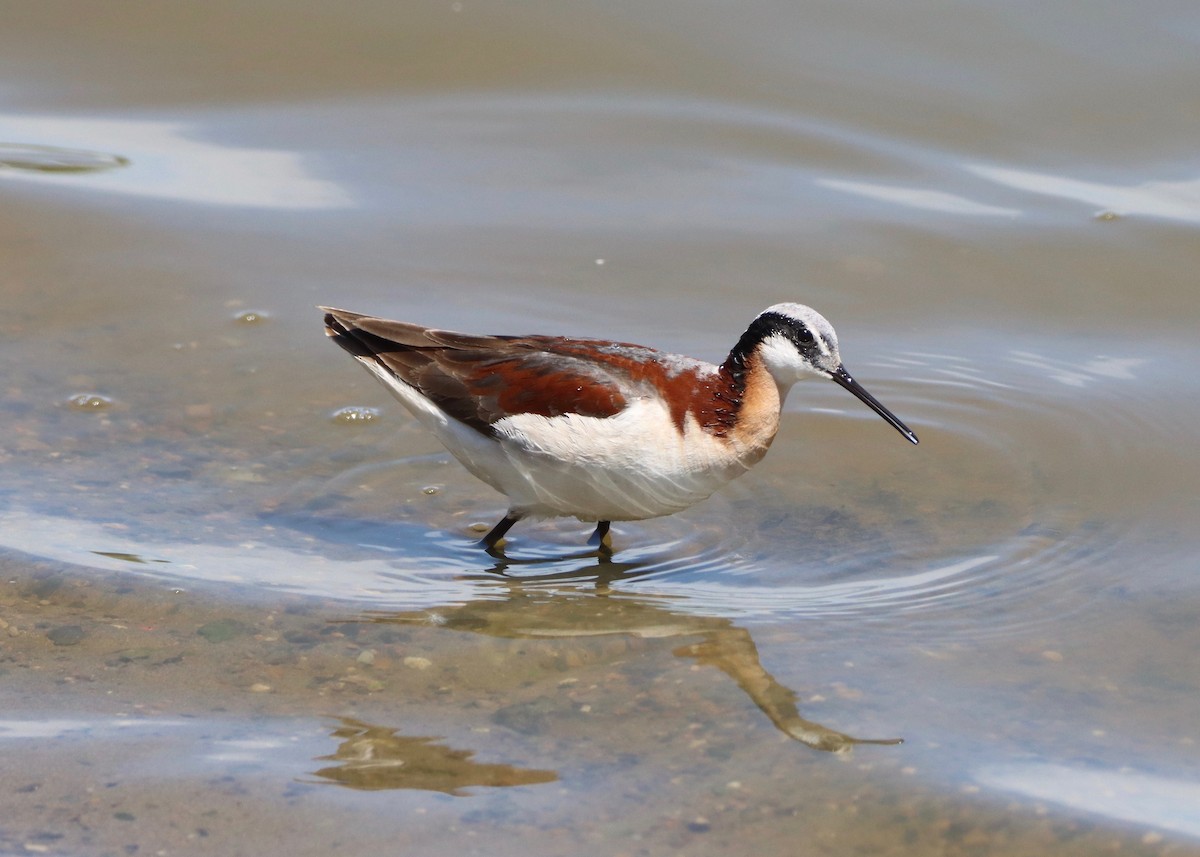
x: 601, y: 432
